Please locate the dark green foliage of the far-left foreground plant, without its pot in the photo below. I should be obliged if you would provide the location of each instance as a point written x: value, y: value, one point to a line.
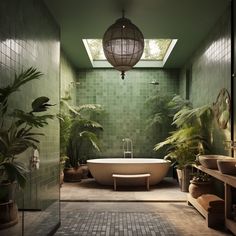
x: 17, y: 137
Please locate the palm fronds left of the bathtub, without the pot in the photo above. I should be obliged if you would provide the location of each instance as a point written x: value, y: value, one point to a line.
x: 80, y: 132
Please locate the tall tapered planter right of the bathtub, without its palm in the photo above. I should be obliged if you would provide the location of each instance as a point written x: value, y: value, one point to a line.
x: 184, y: 177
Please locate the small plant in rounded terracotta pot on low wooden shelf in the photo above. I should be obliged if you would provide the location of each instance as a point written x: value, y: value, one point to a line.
x: 201, y: 183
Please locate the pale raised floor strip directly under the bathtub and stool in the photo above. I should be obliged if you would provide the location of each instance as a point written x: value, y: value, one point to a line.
x: 89, y: 190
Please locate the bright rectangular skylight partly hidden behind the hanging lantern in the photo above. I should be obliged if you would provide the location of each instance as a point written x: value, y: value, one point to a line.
x: 156, y: 52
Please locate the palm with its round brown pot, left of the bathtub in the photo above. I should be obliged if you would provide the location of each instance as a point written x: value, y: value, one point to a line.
x: 82, y: 138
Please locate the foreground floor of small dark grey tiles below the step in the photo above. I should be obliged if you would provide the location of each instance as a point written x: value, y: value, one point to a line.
x: 132, y: 219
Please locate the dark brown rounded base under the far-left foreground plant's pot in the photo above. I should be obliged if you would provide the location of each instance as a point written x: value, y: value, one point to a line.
x: 8, y: 214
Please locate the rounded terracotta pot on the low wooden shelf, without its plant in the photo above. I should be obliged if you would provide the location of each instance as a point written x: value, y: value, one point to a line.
x: 196, y: 188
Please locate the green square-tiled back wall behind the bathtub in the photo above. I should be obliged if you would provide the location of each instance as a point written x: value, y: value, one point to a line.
x: 124, y: 104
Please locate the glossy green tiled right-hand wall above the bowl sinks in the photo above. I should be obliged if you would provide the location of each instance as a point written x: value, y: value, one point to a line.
x: 210, y: 66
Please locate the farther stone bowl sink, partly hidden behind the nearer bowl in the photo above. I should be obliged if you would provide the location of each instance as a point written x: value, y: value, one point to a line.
x: 210, y: 161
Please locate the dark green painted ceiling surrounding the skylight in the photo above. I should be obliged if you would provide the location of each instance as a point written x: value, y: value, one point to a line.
x: 189, y: 21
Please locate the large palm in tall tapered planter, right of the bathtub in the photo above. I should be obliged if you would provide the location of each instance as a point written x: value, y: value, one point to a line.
x: 191, y: 137
